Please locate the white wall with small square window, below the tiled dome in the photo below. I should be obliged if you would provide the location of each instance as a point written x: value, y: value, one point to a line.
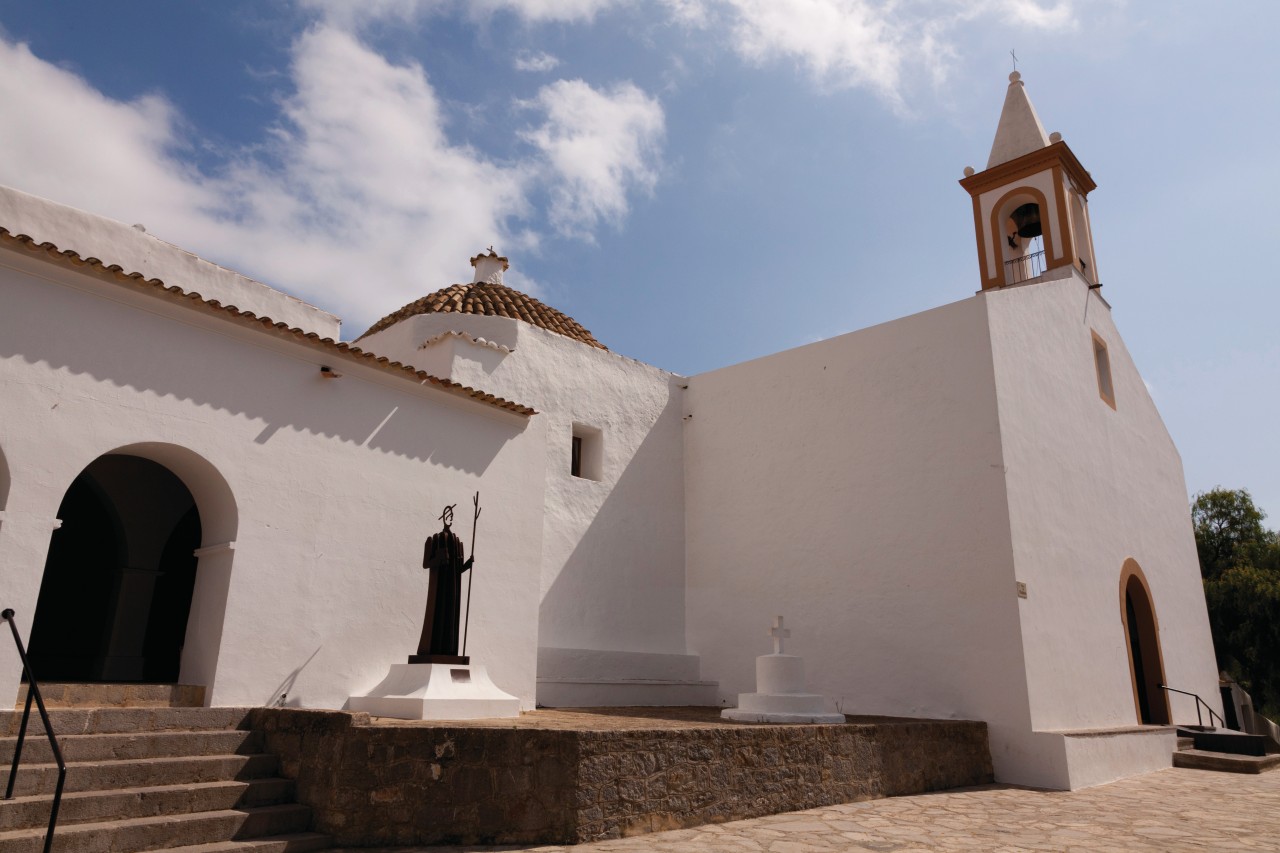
x: 614, y: 559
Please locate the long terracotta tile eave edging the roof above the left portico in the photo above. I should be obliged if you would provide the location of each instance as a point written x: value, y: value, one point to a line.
x: 264, y: 323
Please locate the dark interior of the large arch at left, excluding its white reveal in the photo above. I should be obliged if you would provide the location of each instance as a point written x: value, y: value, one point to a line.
x: 118, y: 582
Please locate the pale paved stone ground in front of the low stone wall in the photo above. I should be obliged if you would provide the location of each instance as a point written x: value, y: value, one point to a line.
x: 1169, y: 811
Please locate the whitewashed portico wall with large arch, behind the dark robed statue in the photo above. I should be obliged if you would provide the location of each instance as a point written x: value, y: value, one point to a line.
x: 327, y: 487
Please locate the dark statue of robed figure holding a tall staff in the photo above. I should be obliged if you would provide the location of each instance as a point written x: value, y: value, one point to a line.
x: 445, y: 556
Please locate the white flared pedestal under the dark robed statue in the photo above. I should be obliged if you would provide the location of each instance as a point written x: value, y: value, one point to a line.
x: 437, y: 692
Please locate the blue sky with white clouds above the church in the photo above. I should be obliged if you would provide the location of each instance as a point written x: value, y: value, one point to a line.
x: 698, y: 183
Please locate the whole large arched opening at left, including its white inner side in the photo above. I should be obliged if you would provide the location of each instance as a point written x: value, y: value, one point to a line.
x: 127, y: 594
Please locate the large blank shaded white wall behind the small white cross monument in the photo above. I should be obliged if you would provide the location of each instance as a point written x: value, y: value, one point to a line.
x: 857, y: 487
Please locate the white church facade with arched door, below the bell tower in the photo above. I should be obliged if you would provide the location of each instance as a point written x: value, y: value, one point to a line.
x: 1091, y: 487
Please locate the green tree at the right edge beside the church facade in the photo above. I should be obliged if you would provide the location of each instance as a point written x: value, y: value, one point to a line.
x: 1241, y: 564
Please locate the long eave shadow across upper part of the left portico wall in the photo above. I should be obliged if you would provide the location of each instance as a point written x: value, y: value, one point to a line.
x: 281, y: 391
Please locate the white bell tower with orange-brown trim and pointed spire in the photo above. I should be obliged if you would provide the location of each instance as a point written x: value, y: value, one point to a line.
x: 1031, y: 203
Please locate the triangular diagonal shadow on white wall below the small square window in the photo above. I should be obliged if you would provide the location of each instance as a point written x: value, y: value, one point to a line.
x: 623, y: 587
